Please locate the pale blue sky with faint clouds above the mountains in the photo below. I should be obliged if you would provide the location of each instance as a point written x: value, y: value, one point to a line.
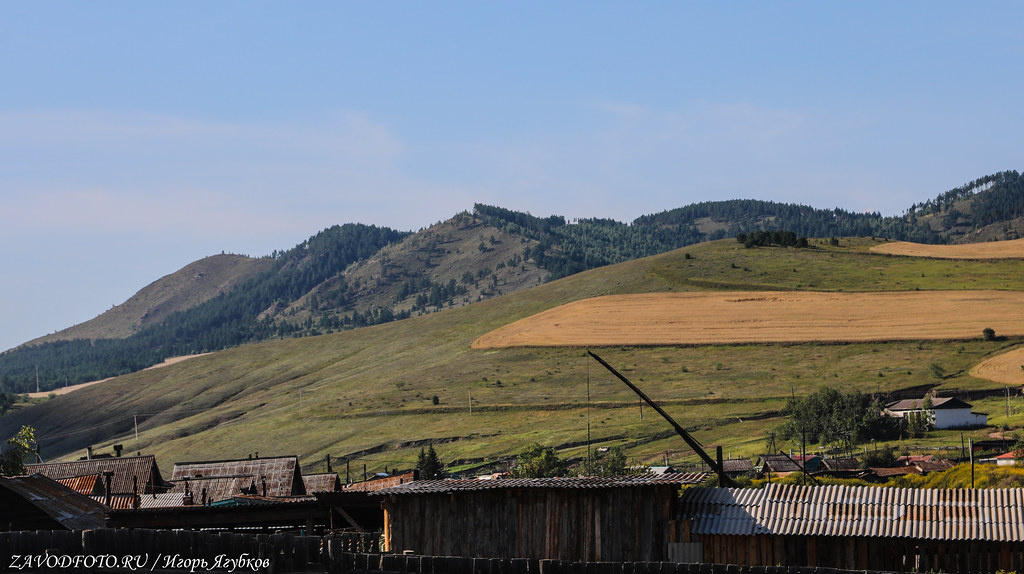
x: 137, y: 138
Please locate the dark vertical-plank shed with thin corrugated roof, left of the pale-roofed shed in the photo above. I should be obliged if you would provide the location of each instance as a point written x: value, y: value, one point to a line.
x: 622, y: 519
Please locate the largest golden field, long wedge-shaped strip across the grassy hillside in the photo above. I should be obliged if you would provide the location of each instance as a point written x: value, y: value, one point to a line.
x: 699, y: 319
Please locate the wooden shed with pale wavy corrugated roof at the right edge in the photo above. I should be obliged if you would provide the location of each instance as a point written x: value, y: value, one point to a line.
x: 858, y: 528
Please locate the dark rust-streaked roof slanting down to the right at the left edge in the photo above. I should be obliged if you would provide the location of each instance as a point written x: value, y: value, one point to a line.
x: 73, y: 511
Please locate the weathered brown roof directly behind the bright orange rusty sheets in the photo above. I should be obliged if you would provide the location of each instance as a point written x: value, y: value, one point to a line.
x: 125, y: 469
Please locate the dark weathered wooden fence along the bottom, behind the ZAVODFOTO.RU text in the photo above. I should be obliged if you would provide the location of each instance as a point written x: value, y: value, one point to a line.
x: 122, y: 551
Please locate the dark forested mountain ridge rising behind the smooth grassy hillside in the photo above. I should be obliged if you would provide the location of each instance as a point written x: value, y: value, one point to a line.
x: 355, y: 276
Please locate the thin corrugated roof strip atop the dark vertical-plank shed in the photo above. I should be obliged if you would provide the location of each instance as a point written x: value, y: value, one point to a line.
x: 464, y: 485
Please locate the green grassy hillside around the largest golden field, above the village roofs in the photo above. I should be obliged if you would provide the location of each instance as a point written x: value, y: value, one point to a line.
x: 367, y: 394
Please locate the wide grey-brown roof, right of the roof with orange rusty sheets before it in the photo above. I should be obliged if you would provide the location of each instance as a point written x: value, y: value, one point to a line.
x: 224, y: 479
